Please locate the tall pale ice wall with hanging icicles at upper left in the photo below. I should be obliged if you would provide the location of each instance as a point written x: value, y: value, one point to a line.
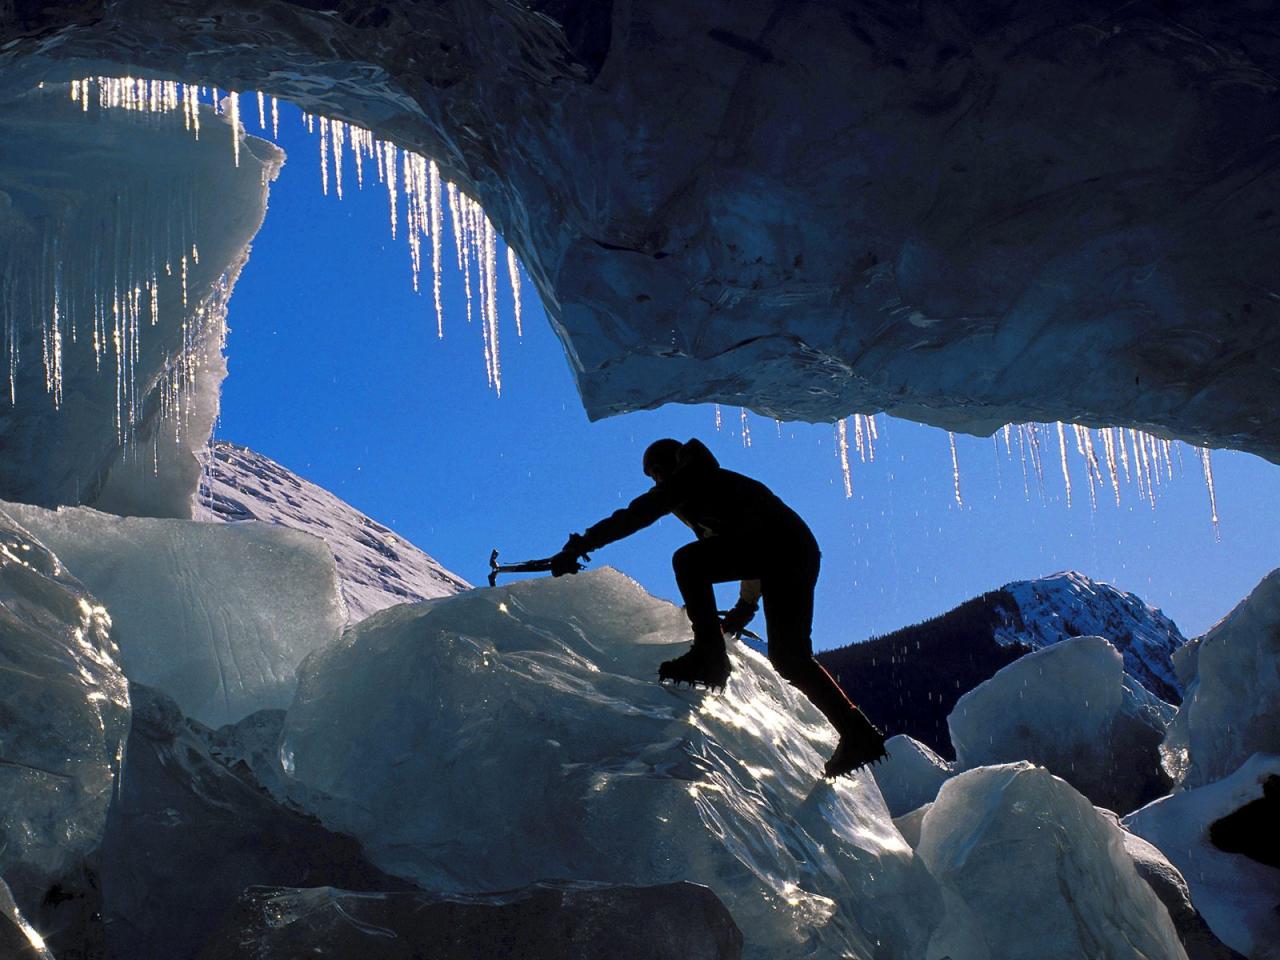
x: 121, y: 240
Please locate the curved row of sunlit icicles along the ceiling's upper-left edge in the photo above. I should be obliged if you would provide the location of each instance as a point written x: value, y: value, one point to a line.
x: 408, y: 177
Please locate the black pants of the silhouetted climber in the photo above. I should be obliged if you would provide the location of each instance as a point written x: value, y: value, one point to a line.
x: 788, y: 570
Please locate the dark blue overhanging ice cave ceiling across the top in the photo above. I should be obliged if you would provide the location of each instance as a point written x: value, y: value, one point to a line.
x: 961, y: 213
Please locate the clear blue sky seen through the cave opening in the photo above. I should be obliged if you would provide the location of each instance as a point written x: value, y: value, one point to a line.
x: 337, y: 373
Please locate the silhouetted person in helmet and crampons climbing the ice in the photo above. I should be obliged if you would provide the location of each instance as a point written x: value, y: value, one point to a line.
x: 744, y: 533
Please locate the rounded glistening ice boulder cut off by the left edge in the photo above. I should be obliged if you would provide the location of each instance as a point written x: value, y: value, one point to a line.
x: 66, y: 715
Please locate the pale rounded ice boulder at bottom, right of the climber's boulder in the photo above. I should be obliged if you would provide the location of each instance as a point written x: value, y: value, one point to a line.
x: 1031, y: 870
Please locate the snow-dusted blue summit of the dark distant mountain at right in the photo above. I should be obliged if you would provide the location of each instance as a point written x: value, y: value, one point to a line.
x: 1068, y: 605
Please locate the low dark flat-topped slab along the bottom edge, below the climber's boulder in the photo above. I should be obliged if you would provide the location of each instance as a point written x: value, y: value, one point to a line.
x: 545, y: 922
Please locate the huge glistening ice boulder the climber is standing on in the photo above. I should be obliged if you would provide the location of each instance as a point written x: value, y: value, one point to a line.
x: 504, y: 737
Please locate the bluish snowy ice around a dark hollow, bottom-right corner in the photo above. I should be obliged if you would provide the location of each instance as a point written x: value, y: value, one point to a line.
x: 1235, y: 894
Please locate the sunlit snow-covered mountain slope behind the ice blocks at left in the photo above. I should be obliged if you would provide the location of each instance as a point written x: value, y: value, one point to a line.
x: 377, y: 569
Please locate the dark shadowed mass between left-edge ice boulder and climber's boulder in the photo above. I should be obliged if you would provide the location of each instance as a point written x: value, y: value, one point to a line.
x: 186, y: 836
